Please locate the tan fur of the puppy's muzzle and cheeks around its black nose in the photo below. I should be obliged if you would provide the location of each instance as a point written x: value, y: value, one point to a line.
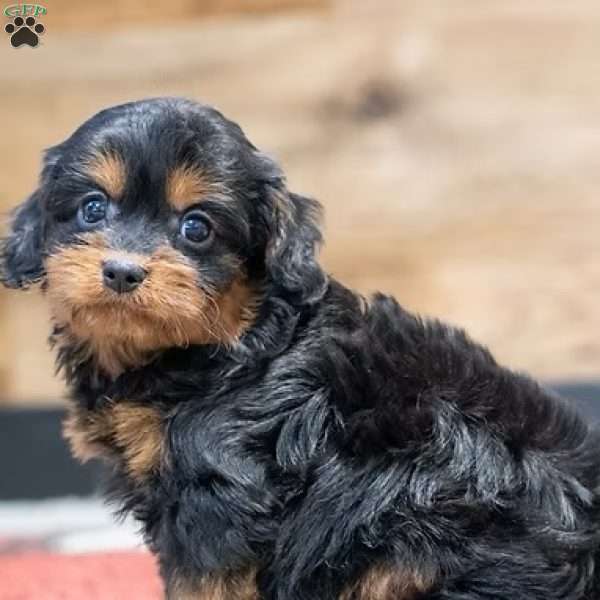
x: 168, y: 309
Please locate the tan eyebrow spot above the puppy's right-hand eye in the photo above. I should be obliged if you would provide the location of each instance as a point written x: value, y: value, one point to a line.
x: 188, y: 185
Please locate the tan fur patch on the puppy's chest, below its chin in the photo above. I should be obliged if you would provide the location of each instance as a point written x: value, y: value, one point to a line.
x: 132, y: 432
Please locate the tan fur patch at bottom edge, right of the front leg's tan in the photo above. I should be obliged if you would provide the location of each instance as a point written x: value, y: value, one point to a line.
x: 387, y: 583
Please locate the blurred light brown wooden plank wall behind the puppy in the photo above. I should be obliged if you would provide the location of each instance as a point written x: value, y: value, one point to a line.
x: 455, y: 146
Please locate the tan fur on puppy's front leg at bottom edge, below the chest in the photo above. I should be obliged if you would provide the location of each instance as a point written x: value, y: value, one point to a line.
x: 230, y: 586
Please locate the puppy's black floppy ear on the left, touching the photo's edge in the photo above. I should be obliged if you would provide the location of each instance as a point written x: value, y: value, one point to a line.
x: 20, y: 251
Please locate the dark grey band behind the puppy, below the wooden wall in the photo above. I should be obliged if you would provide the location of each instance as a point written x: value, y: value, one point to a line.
x: 35, y: 461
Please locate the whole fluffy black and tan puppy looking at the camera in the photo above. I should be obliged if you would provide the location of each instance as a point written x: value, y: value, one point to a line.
x: 277, y: 436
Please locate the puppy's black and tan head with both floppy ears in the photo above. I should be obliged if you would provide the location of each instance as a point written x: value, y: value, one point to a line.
x: 158, y: 224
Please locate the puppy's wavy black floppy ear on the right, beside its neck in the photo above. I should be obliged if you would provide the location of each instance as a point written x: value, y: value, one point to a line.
x: 290, y: 258
